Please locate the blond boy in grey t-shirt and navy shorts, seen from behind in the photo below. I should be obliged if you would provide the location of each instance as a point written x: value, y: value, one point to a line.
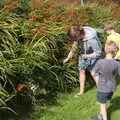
x: 106, y: 70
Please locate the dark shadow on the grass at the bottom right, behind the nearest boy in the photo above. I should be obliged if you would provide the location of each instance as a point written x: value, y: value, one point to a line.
x: 115, y: 105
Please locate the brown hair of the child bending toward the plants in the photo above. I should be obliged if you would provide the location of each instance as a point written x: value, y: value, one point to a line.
x: 75, y: 32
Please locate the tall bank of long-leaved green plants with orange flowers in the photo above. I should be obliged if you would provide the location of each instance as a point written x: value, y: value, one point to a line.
x: 33, y: 43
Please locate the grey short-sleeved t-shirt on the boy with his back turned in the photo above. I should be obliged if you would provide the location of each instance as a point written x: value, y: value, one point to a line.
x: 107, y: 69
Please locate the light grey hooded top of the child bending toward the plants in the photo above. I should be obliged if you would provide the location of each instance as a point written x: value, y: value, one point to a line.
x: 90, y: 44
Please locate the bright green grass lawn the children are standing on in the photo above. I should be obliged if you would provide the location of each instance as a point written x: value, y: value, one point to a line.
x: 67, y: 107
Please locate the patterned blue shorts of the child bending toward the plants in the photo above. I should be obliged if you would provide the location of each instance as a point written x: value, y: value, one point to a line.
x: 85, y: 64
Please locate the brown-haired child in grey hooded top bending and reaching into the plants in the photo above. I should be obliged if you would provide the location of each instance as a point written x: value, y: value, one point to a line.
x: 86, y: 39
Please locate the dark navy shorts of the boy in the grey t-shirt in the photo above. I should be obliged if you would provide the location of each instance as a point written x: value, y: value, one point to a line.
x: 104, y: 97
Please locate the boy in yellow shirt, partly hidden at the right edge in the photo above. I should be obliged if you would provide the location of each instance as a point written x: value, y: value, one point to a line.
x: 113, y: 35
